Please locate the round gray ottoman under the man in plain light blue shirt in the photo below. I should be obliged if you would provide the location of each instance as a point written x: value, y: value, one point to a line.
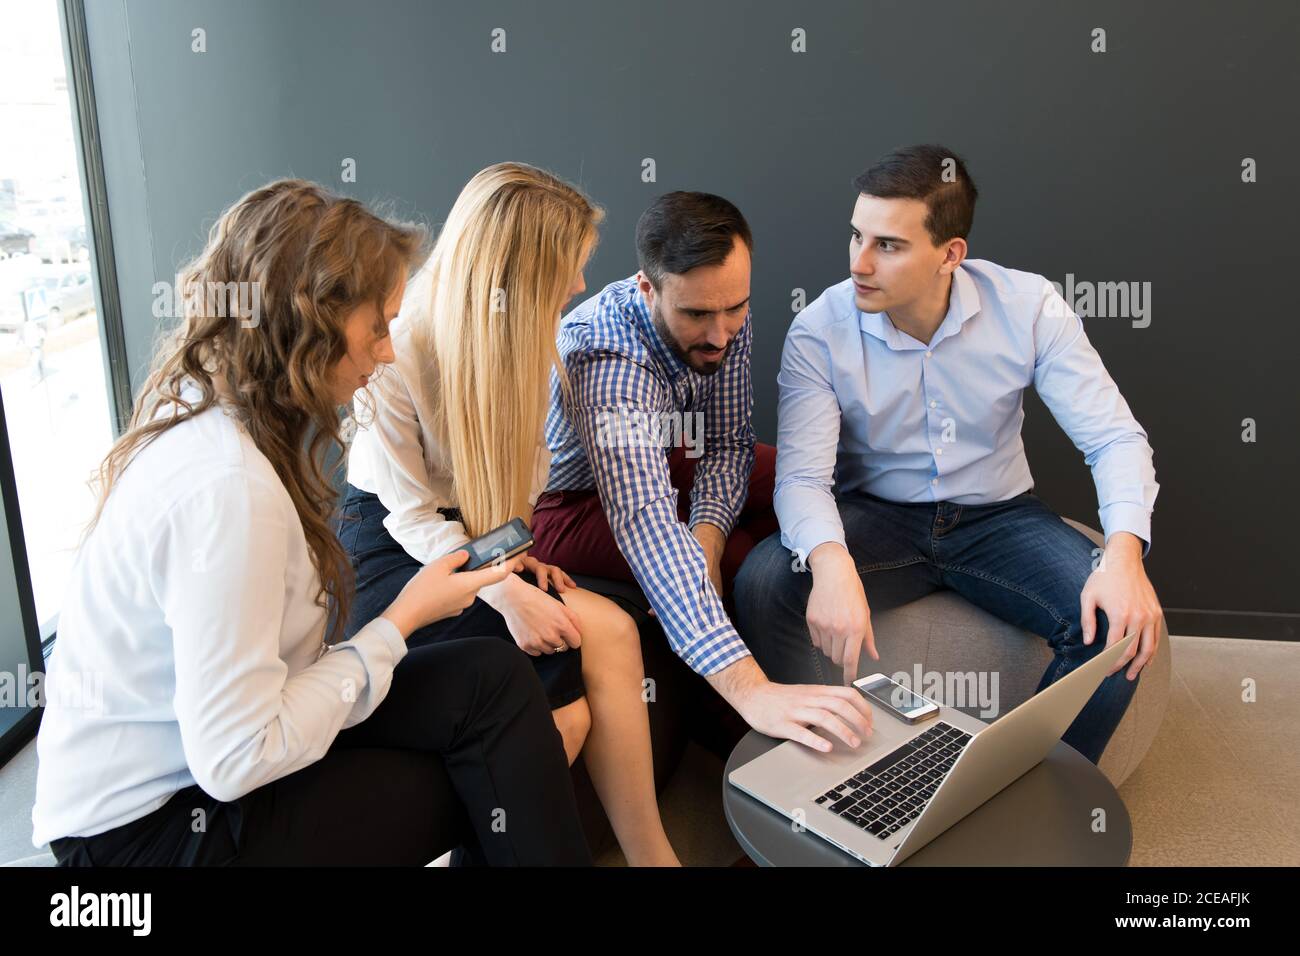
x: 943, y: 634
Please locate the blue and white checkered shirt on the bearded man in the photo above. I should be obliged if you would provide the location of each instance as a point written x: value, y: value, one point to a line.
x: 621, y: 370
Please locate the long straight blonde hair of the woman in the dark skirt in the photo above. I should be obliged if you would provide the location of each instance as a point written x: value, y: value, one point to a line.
x: 486, y: 322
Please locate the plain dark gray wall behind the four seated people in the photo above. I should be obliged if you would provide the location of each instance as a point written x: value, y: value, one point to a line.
x: 1115, y: 167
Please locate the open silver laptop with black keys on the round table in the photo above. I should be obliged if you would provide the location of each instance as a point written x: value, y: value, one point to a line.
x: 911, y: 782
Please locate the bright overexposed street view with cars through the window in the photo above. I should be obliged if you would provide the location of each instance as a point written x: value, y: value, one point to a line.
x: 51, y: 358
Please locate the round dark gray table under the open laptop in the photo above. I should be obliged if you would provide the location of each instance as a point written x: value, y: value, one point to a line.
x: 1042, y: 820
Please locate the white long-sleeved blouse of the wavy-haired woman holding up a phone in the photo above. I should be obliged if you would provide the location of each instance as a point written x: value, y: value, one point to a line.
x: 190, y: 646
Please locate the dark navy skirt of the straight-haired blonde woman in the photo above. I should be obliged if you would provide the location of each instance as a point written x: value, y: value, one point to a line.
x: 383, y: 569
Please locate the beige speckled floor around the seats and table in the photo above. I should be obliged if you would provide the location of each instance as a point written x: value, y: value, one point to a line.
x: 1220, y: 786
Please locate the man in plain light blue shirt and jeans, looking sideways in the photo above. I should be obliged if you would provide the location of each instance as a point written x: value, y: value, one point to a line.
x: 900, y: 462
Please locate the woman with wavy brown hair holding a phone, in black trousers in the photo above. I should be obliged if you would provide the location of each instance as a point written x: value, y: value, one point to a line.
x: 201, y: 599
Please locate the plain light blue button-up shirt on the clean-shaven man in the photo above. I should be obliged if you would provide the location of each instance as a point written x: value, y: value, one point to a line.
x: 865, y: 408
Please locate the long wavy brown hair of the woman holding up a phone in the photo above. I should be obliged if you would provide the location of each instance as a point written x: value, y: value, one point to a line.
x: 315, y: 258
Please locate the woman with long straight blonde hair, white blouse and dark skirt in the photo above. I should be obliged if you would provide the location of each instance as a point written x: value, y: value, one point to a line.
x: 450, y: 447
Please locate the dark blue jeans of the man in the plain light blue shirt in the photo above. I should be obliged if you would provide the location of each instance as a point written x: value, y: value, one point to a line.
x: 1015, y: 559
